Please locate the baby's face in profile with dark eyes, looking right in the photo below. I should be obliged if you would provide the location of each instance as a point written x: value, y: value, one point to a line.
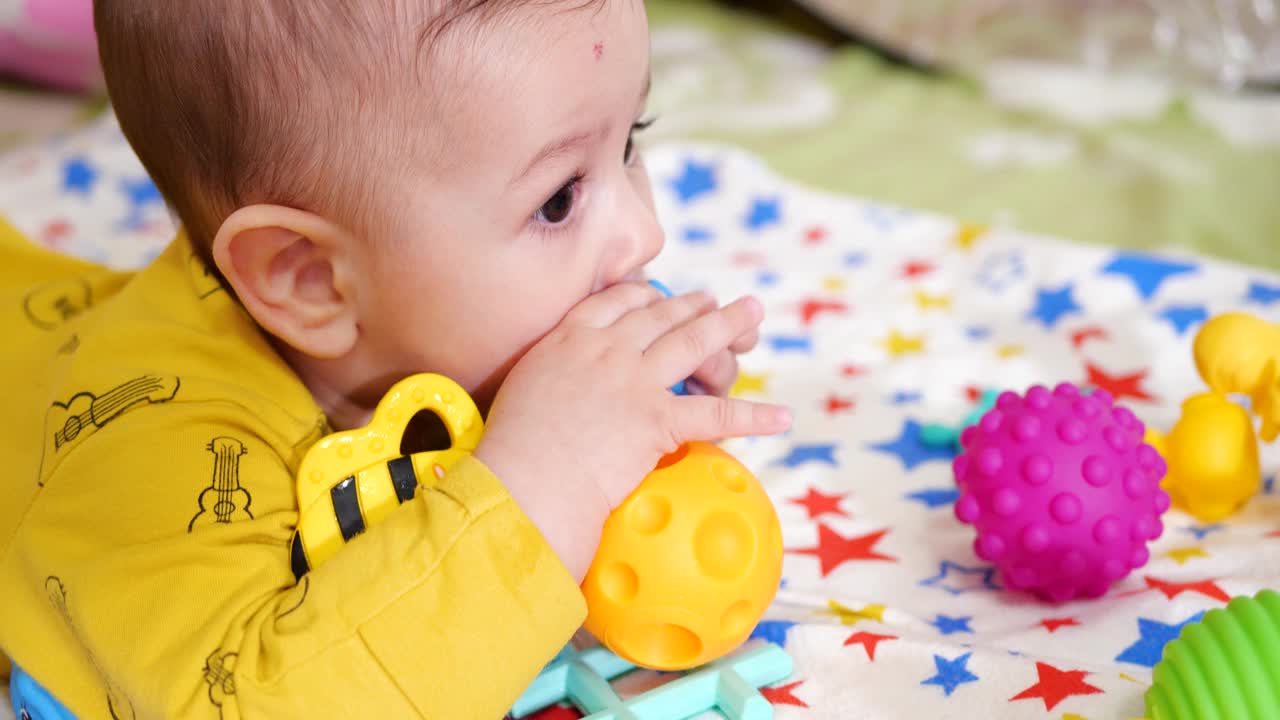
x: 536, y: 199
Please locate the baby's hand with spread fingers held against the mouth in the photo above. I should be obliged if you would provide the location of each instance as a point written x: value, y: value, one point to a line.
x: 587, y: 413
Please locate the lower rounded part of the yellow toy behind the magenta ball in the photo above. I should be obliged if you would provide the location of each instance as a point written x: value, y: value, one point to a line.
x: 1213, y: 458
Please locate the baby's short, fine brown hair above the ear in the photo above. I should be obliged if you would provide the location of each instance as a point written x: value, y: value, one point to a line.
x: 305, y: 104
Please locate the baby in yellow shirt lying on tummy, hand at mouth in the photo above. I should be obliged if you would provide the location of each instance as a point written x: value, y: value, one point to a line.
x: 368, y: 190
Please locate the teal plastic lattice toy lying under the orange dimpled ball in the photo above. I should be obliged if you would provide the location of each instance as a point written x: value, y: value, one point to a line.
x: 729, y: 686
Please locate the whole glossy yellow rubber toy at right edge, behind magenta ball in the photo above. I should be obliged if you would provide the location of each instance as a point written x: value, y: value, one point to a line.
x: 1213, y: 450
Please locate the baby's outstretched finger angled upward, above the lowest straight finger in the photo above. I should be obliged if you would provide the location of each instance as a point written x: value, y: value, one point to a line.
x: 678, y: 354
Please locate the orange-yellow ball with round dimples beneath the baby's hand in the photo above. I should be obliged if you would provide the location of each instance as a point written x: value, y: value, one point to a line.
x: 688, y: 564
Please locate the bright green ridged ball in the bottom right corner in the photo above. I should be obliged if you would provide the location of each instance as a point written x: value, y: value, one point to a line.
x: 1224, y: 668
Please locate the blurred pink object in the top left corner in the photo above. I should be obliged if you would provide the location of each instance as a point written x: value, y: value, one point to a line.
x: 51, y: 43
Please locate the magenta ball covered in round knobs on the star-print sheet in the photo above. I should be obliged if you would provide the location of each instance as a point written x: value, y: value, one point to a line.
x: 1063, y: 491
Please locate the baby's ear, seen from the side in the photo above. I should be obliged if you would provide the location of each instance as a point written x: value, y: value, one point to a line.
x: 289, y: 270
